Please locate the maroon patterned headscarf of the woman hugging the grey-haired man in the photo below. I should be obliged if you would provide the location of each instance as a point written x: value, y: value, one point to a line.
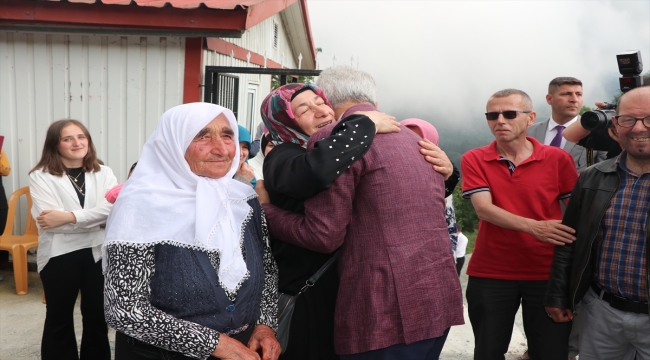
x: 278, y: 117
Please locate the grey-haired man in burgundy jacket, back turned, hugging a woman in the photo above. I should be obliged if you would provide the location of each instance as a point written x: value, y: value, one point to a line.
x: 399, y: 293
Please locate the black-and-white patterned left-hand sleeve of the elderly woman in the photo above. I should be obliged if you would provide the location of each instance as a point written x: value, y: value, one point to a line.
x: 127, y: 308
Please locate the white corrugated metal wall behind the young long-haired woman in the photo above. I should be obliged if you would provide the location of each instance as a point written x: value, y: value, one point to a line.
x: 118, y: 86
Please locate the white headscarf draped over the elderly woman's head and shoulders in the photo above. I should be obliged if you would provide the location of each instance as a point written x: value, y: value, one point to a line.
x: 165, y: 202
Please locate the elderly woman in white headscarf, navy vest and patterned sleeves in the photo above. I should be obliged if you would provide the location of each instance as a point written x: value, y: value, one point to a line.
x: 189, y: 272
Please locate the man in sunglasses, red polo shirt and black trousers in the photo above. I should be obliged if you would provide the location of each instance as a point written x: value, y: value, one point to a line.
x: 516, y: 185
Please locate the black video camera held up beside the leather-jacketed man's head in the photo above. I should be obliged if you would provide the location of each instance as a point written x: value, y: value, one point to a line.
x: 630, y: 67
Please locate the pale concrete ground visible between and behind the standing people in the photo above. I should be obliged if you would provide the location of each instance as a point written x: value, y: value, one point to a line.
x: 22, y: 316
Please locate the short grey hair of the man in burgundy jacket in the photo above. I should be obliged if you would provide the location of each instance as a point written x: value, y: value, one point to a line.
x: 343, y: 83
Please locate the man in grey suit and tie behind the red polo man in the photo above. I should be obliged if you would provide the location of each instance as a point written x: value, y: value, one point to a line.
x: 565, y: 97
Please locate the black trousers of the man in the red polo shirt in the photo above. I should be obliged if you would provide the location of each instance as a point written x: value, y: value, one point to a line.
x: 492, y: 305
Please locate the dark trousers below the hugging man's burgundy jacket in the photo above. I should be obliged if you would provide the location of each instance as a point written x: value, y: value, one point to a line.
x: 429, y: 349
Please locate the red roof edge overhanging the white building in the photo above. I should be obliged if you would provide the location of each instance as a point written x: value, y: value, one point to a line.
x: 187, y: 18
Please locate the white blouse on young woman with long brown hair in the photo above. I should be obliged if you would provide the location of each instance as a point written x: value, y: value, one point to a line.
x: 51, y: 192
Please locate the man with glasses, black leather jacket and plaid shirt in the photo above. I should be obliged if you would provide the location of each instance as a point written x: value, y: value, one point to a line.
x: 607, y: 268
